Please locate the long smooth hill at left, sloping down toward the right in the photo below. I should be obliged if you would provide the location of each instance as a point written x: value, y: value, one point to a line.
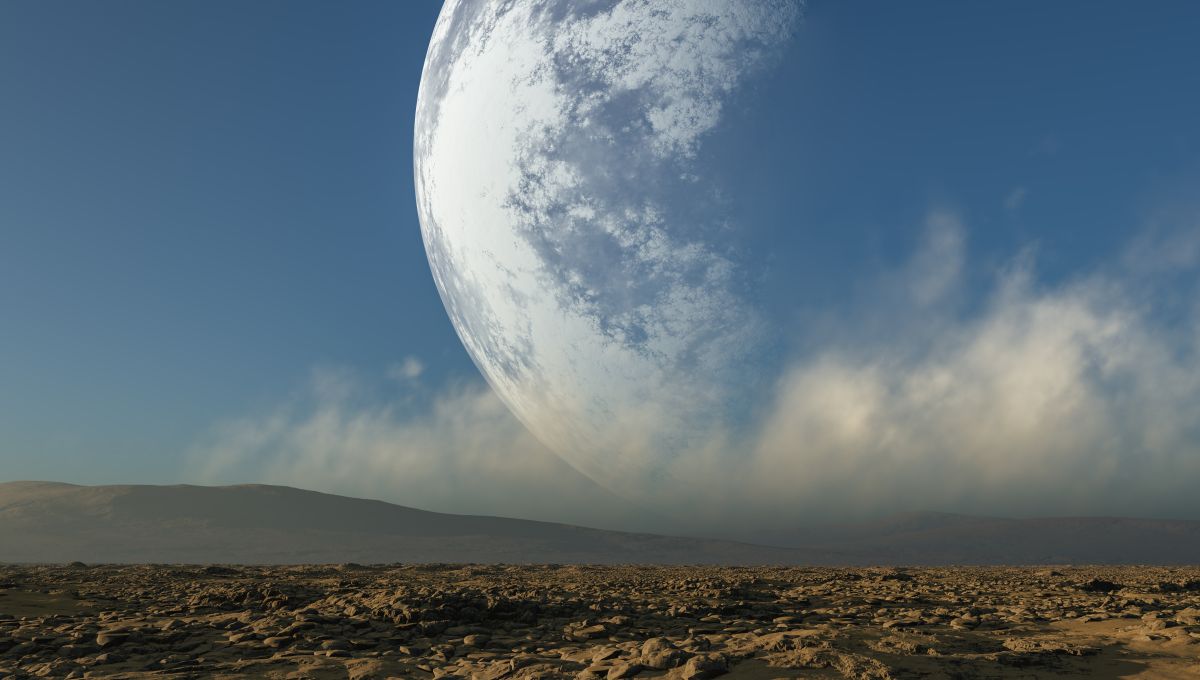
x: 47, y: 522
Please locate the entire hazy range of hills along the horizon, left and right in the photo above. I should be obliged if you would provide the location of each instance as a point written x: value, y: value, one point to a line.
x: 50, y: 522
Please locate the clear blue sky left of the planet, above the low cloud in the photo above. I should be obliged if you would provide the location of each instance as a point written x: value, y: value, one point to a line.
x: 202, y: 202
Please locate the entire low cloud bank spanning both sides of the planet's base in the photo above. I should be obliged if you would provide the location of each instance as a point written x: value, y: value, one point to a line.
x: 1079, y: 398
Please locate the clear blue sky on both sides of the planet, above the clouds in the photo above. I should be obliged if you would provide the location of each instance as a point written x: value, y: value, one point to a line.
x: 203, y: 203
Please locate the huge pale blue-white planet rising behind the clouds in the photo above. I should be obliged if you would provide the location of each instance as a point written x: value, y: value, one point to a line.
x: 589, y: 252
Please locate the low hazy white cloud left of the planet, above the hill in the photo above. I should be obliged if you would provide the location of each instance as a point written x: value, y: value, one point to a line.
x: 466, y: 454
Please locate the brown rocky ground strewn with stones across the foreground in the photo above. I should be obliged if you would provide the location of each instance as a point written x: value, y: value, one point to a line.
x: 597, y: 623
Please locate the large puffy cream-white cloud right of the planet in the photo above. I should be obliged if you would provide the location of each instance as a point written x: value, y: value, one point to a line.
x: 1066, y: 401
